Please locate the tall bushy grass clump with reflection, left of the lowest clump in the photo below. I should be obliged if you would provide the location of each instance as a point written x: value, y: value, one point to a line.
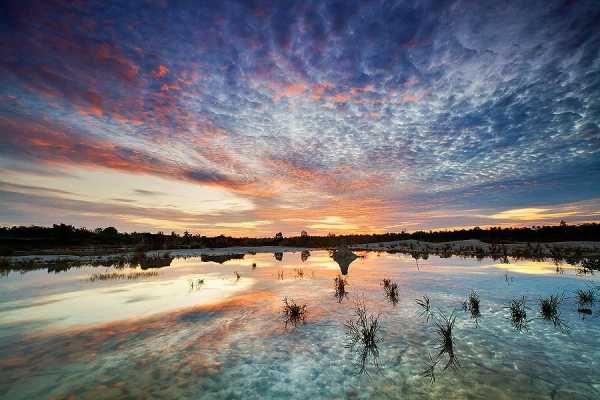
x: 362, y: 337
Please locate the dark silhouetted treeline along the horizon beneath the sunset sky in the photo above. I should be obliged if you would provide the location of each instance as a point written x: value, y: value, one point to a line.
x: 61, y: 236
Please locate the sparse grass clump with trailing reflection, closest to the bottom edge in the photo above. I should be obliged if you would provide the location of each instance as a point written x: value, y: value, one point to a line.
x: 443, y: 327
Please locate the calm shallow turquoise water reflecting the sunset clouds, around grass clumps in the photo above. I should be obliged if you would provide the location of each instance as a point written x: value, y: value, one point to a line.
x: 64, y: 336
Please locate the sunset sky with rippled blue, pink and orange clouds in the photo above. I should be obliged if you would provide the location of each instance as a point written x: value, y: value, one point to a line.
x: 253, y: 117
